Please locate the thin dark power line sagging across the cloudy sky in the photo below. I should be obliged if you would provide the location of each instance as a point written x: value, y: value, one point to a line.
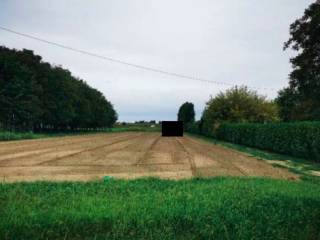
x: 122, y: 62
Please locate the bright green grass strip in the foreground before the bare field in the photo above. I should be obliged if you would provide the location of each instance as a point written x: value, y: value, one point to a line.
x: 218, y: 208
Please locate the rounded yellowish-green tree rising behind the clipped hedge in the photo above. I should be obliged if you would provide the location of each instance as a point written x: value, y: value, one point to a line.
x: 238, y: 105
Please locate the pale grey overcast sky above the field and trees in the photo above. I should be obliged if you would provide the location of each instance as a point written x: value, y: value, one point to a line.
x: 230, y: 41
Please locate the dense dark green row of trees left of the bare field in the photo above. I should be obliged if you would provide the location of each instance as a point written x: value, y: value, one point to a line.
x: 37, y: 96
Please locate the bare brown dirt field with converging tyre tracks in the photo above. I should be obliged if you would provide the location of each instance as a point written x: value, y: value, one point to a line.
x: 125, y: 155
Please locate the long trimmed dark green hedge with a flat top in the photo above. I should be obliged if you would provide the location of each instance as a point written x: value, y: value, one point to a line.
x: 300, y: 139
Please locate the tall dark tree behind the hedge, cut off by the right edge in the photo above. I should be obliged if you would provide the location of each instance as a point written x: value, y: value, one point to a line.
x: 301, y: 100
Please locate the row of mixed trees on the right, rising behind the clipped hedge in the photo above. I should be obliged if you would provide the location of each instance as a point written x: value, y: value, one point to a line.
x: 300, y: 101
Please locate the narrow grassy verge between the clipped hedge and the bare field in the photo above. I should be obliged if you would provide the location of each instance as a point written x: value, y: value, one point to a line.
x: 301, y: 166
